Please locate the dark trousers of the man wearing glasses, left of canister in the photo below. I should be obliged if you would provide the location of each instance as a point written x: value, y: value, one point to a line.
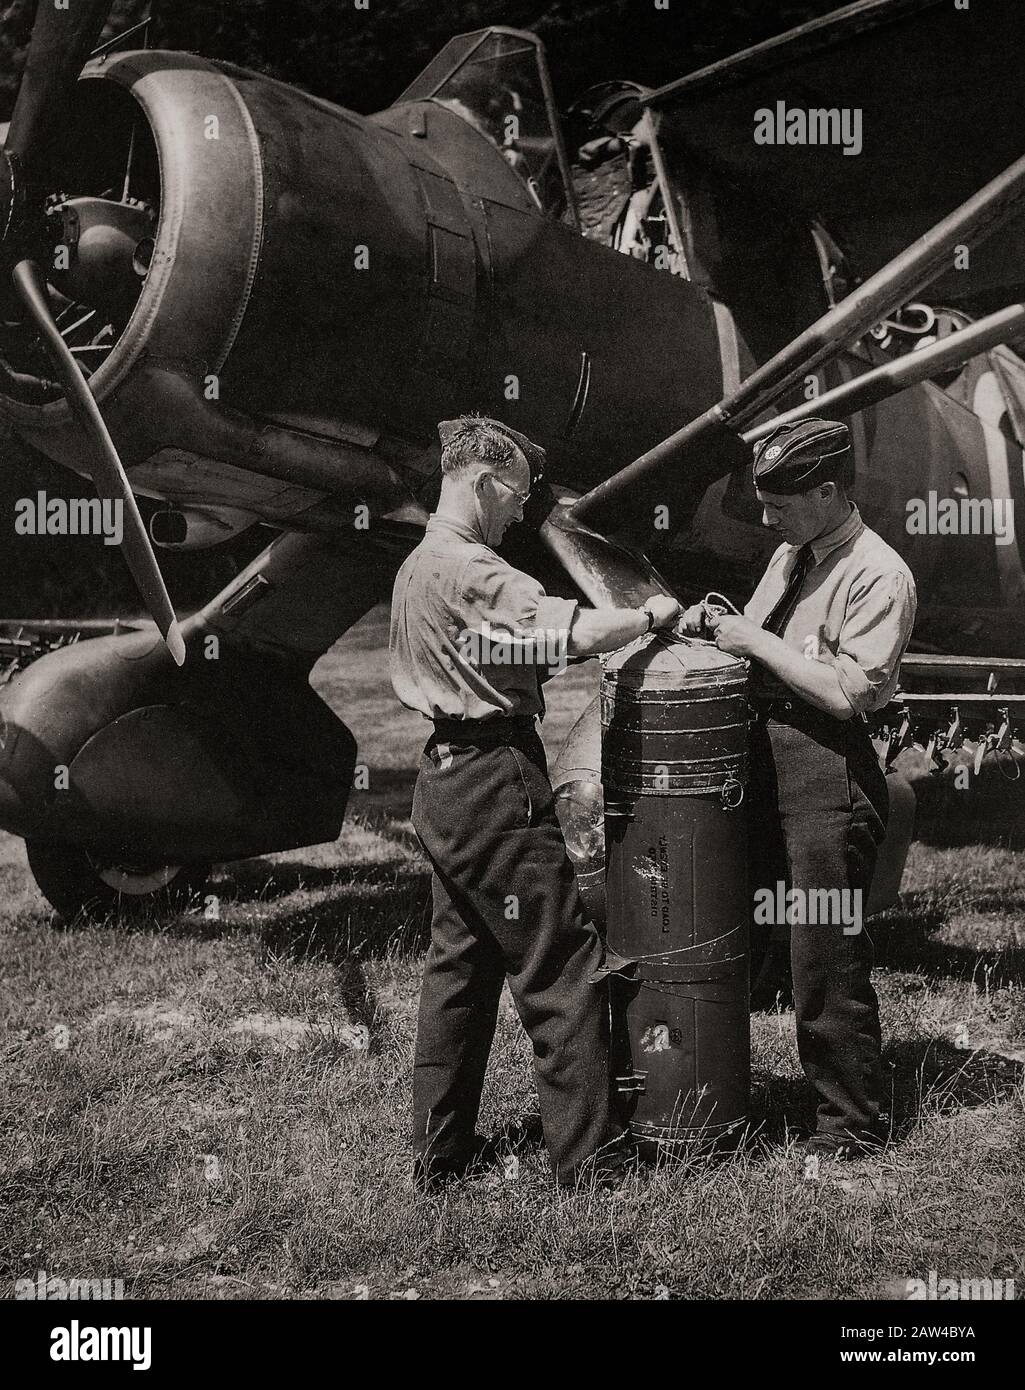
x: 506, y: 906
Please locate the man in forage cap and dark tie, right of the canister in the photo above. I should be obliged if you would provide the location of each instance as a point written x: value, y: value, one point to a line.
x: 825, y: 632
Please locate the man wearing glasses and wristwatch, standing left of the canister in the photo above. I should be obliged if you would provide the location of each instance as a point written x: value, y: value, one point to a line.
x: 506, y: 903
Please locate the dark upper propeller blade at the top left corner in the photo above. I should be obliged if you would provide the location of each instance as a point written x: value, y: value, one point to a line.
x: 62, y: 42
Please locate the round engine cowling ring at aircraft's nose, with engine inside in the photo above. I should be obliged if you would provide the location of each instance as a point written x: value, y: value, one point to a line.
x: 138, y: 245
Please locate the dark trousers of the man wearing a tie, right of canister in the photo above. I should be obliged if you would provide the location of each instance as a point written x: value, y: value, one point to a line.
x: 818, y: 815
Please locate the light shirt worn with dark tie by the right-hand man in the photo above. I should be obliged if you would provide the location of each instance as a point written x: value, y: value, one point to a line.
x: 855, y: 612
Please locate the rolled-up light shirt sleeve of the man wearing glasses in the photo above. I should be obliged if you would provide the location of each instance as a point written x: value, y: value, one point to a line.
x: 501, y: 600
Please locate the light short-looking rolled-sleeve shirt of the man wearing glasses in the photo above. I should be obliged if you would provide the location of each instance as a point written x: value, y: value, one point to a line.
x: 471, y: 636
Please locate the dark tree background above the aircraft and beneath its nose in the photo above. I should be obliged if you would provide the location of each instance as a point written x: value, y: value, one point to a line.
x: 361, y: 59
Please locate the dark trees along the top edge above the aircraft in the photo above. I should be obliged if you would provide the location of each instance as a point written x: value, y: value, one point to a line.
x: 364, y: 59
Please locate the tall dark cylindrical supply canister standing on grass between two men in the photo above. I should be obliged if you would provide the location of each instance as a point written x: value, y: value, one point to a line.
x: 675, y: 771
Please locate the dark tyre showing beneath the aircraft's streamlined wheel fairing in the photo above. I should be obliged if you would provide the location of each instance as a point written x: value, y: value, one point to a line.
x: 79, y: 883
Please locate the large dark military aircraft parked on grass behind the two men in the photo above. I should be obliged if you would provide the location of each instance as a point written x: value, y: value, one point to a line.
x: 250, y: 304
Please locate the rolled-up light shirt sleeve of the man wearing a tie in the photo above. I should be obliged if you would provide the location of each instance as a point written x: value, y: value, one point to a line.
x: 875, y: 632
